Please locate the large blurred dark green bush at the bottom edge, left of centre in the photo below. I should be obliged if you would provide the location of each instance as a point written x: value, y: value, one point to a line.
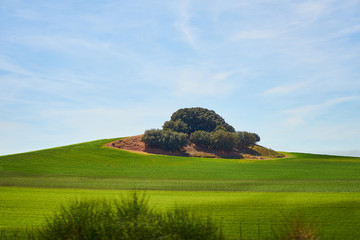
x: 127, y: 219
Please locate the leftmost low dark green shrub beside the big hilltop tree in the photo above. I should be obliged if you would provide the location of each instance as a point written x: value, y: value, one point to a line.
x: 167, y: 140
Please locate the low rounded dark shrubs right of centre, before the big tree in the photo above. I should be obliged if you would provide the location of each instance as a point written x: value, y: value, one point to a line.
x: 223, y: 140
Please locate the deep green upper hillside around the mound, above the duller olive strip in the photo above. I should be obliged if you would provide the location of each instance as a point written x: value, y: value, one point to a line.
x: 91, y: 159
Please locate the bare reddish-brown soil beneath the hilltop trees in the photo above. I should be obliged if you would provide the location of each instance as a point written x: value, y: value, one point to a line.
x: 135, y: 144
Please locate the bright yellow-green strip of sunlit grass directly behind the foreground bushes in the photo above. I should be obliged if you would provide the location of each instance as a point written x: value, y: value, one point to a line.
x: 27, y: 207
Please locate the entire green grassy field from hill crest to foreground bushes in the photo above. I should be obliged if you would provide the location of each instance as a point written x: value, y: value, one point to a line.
x: 251, y: 195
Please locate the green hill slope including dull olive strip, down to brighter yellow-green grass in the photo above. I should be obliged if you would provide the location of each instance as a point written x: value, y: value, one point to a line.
x: 104, y: 167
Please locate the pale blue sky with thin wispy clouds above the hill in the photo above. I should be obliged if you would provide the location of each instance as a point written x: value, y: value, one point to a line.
x: 74, y: 71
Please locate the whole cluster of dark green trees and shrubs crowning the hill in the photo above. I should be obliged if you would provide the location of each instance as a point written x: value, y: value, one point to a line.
x: 201, y: 126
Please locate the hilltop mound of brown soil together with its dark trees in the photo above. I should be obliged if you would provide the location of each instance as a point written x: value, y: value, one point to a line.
x: 198, y: 132
